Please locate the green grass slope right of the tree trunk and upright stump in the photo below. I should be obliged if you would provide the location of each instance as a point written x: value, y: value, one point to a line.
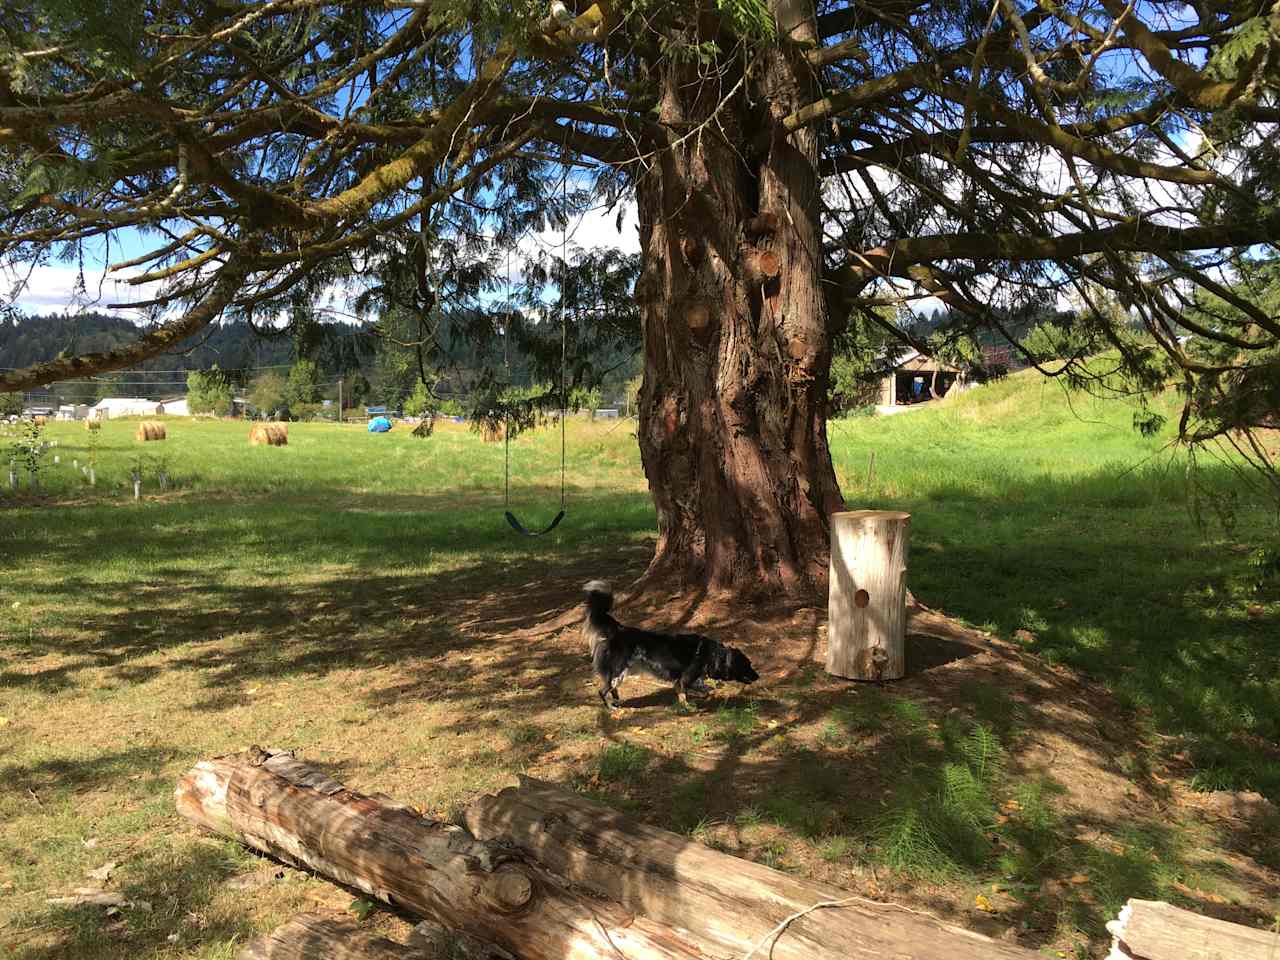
x: 1044, y: 513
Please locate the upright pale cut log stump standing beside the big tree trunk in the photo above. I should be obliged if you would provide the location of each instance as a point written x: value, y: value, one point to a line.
x: 867, y: 606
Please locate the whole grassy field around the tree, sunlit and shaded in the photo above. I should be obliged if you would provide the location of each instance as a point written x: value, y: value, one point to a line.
x: 362, y: 600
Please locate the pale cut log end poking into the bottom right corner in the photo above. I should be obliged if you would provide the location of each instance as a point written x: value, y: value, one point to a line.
x: 1151, y: 930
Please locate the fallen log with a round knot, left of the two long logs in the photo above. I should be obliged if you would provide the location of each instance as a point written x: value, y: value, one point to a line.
x: 278, y: 806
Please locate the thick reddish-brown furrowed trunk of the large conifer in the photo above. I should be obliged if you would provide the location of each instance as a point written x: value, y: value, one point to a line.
x: 738, y: 344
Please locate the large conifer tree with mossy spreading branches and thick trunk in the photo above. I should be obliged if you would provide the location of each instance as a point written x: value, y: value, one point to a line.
x: 794, y: 167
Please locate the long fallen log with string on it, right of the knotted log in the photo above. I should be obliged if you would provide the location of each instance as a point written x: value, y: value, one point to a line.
x: 730, y: 906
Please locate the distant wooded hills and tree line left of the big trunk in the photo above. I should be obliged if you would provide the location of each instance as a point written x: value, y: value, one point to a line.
x: 295, y: 372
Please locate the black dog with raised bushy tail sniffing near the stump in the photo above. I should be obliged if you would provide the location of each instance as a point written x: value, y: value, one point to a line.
x: 684, y: 660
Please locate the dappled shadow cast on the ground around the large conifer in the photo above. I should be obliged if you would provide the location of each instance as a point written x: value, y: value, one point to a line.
x: 487, y: 639
